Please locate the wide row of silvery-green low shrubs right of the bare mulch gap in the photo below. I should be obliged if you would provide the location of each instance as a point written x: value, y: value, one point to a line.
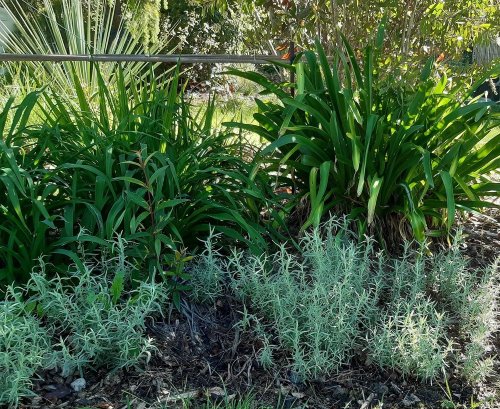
x: 336, y: 298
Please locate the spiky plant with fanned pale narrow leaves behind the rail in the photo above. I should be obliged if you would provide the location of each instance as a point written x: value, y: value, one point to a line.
x: 72, y: 27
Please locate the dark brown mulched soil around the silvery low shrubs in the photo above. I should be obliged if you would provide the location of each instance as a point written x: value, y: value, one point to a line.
x: 202, y: 354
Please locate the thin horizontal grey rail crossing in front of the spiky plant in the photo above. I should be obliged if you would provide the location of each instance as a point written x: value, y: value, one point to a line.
x: 160, y: 58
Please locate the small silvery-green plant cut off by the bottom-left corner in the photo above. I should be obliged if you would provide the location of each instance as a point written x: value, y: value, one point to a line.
x: 24, y: 348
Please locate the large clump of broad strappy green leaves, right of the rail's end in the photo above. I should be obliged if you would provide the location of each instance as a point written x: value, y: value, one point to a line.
x: 348, y: 143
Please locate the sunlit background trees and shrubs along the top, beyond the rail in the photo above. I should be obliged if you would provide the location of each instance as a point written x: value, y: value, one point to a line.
x: 417, y: 29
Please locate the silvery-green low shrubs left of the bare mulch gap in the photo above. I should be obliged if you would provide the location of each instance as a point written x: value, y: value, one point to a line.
x: 93, y: 317
